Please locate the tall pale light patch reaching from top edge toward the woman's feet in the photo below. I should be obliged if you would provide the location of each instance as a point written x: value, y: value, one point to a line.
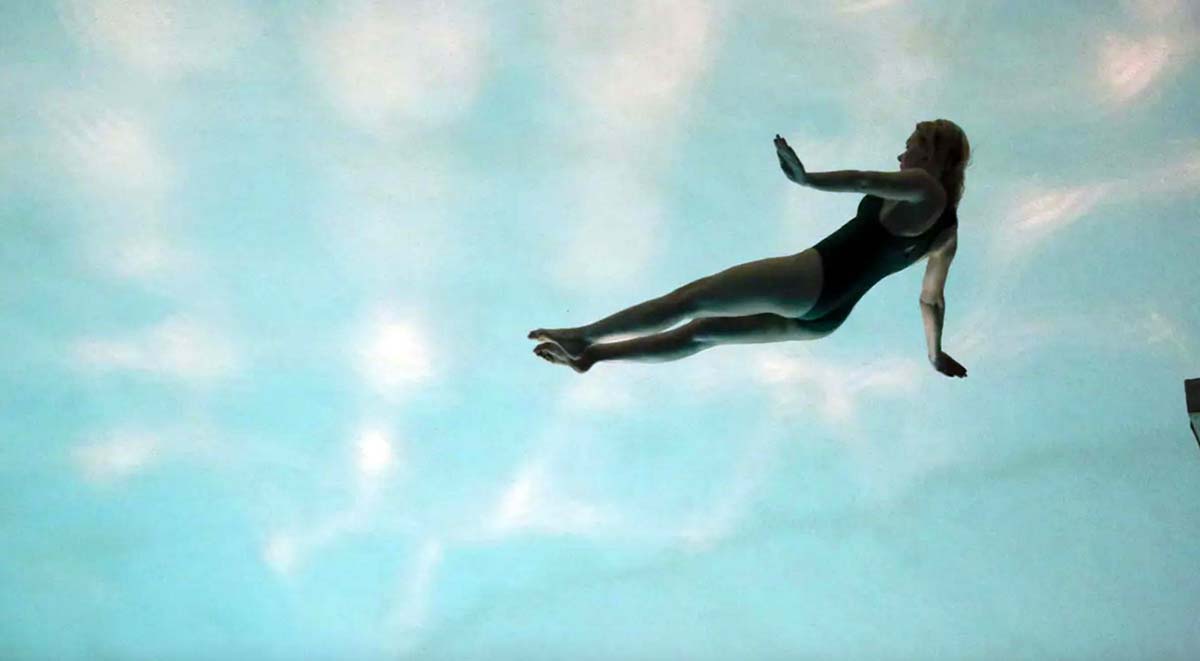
x: 631, y: 112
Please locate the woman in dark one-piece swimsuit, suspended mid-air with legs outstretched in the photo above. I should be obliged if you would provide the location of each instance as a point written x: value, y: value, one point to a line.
x: 904, y: 218
